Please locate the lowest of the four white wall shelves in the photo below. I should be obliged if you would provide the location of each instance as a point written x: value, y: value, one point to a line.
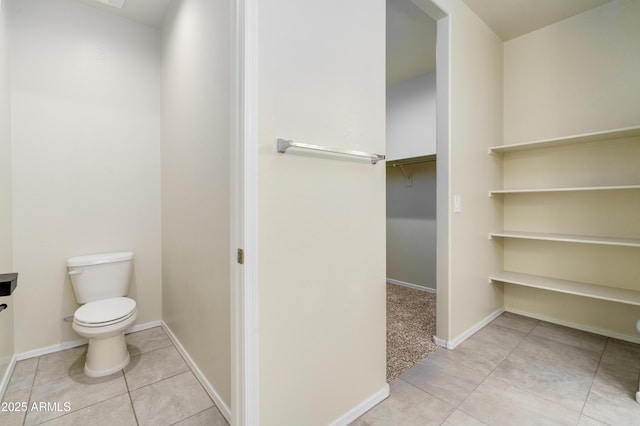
x: 629, y: 297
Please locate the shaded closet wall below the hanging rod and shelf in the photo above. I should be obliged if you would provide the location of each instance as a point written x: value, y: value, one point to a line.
x: 411, y: 224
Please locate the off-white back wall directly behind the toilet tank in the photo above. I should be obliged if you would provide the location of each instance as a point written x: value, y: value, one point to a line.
x: 86, y: 157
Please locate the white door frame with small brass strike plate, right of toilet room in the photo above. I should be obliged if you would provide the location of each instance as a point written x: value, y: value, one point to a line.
x: 244, y: 214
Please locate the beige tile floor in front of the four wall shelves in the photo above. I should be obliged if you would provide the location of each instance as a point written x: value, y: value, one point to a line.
x: 518, y: 371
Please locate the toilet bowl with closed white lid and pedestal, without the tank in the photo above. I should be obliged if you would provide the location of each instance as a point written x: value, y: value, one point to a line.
x: 103, y: 323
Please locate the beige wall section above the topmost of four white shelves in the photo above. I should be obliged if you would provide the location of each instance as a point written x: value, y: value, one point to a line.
x: 577, y: 76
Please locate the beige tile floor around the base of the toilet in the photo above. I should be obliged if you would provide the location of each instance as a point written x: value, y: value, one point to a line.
x: 156, y: 388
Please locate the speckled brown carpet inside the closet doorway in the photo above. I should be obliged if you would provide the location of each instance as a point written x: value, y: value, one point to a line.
x: 411, y: 324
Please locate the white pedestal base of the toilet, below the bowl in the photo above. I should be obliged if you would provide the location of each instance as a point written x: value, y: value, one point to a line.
x: 106, y: 356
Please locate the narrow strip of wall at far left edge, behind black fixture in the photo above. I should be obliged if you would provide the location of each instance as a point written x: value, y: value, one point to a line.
x: 6, y: 264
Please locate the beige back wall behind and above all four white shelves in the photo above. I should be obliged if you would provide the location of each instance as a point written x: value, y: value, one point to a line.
x: 576, y: 76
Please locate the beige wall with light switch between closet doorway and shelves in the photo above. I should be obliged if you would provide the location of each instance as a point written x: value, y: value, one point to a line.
x: 475, y: 108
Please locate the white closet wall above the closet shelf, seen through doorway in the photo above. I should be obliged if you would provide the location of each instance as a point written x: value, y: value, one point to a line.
x: 411, y: 117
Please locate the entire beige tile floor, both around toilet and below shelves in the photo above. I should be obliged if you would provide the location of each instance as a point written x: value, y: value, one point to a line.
x: 515, y: 371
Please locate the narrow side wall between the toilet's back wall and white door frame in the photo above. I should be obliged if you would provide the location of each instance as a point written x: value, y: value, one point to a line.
x: 195, y: 184
